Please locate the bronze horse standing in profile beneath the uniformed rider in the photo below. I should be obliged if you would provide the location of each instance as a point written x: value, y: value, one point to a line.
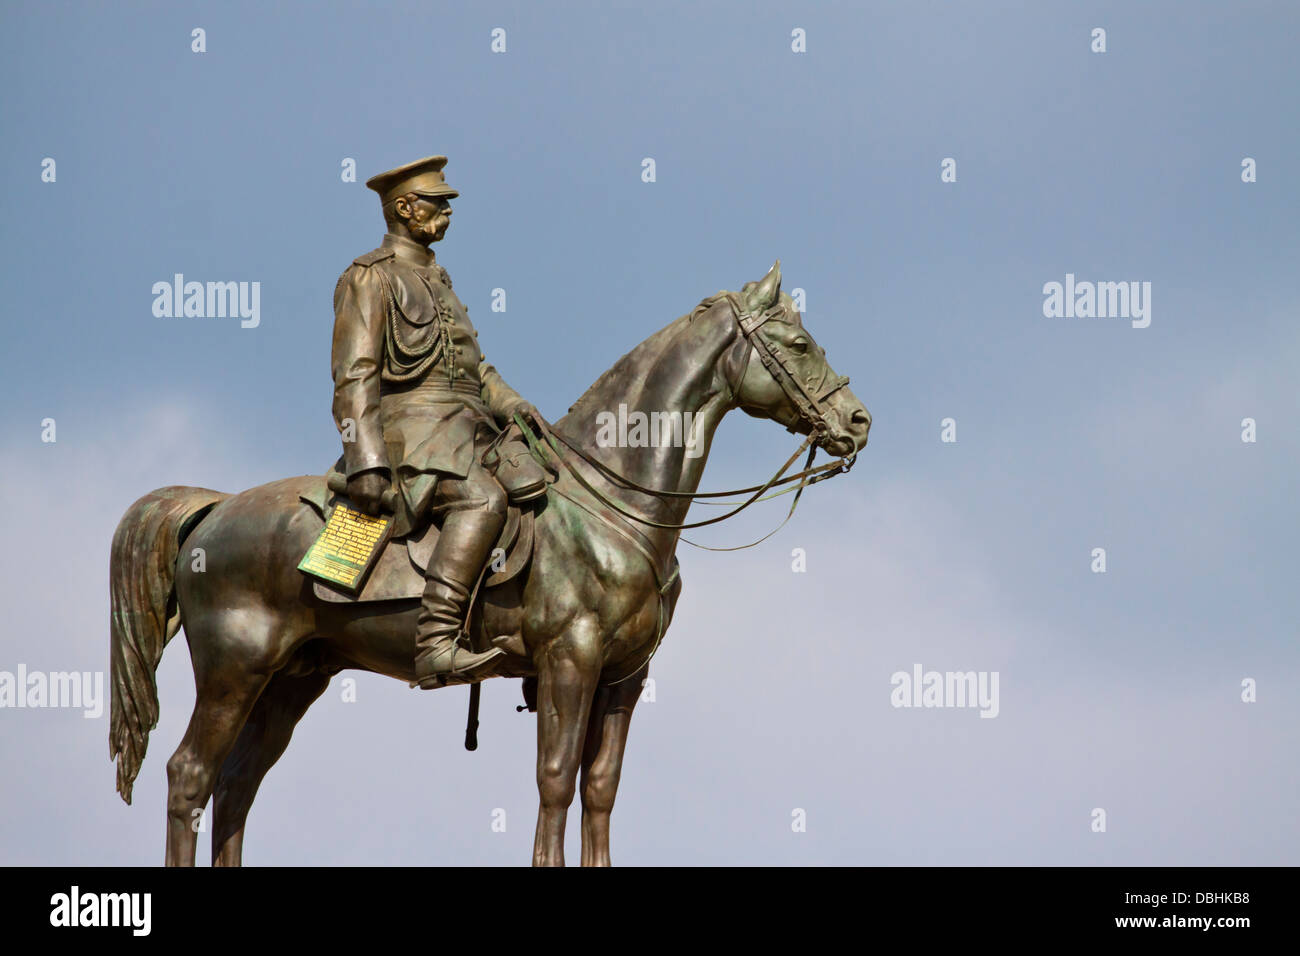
x: 580, y: 621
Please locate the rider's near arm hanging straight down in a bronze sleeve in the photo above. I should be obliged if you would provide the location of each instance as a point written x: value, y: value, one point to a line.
x: 356, y: 360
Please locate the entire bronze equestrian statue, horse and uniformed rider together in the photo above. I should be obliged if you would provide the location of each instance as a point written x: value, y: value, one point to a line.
x: 591, y: 581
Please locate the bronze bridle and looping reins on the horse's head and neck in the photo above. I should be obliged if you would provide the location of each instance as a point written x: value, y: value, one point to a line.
x: 809, y: 401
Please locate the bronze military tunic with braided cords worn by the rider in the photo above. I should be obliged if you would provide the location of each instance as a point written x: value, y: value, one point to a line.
x: 410, y: 375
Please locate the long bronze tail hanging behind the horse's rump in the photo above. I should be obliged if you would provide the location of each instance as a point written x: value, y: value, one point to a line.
x: 145, y: 615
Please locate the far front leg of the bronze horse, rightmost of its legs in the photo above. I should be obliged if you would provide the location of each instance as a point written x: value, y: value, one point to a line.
x: 603, y: 762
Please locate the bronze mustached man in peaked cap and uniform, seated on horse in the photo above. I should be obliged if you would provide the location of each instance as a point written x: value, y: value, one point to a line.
x: 417, y: 405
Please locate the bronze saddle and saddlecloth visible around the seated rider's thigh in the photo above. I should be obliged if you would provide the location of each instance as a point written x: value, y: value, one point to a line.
x: 398, y: 574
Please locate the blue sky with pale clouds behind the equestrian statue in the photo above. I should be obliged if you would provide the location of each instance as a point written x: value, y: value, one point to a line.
x: 1119, y: 691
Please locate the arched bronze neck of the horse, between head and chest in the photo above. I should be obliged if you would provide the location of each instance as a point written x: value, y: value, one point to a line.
x: 684, y: 374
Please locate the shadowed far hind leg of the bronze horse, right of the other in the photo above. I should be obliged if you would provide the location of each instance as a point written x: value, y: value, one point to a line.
x: 262, y: 742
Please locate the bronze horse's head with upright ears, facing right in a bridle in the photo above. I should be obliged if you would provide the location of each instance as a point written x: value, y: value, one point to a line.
x: 788, y: 379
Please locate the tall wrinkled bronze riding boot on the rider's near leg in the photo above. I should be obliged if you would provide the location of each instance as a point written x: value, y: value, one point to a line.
x: 443, y: 654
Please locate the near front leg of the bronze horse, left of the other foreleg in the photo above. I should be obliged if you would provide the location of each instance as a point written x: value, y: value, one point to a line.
x: 567, y: 672
